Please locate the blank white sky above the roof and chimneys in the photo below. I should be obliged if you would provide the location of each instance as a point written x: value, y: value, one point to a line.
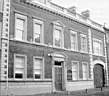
x: 99, y: 9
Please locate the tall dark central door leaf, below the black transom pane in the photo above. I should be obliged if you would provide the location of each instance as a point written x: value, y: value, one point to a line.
x: 58, y: 78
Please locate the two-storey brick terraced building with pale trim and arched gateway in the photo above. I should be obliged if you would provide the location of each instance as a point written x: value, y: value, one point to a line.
x: 49, y: 48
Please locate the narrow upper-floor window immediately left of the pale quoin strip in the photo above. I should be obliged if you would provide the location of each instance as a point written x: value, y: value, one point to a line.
x: 83, y: 41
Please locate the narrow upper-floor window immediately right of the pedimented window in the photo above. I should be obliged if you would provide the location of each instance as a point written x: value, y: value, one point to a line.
x: 74, y: 44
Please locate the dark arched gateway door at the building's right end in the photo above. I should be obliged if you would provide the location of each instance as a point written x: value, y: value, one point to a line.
x: 99, y: 78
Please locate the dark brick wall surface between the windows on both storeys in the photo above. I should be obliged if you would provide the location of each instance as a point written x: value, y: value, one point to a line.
x: 34, y: 50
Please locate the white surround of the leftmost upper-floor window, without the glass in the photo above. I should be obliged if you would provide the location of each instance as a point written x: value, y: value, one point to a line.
x: 23, y: 17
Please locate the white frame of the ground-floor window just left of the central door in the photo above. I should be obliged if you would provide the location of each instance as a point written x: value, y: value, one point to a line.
x: 42, y: 67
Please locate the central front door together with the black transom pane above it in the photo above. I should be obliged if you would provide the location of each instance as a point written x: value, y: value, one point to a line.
x: 58, y: 76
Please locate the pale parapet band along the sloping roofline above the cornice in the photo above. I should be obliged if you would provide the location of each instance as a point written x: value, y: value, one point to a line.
x: 87, y: 22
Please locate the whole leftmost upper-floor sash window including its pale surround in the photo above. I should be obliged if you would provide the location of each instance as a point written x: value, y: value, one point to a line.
x: 20, y: 27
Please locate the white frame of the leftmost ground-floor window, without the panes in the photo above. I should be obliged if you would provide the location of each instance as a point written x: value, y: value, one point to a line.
x: 25, y: 66
